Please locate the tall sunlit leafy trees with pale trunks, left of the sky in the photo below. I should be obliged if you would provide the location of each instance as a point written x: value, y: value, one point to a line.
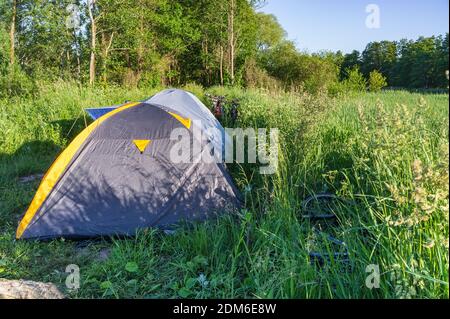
x: 148, y: 42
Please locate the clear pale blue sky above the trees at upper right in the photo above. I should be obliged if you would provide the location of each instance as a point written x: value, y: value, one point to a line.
x: 316, y: 25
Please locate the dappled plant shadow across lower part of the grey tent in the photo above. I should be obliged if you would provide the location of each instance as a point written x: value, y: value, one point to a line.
x: 85, y: 206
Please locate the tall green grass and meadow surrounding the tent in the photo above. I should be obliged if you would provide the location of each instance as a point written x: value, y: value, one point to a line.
x: 385, y: 155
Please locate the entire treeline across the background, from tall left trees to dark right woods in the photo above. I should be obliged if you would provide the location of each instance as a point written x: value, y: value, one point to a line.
x: 209, y: 42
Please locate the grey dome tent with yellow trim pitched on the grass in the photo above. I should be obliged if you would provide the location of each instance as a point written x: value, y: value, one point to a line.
x: 117, y: 176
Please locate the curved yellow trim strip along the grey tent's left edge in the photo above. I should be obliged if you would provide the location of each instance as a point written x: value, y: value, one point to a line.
x: 59, y: 165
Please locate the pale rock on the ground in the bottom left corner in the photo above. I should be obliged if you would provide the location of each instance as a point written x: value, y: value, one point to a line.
x: 25, y: 289
